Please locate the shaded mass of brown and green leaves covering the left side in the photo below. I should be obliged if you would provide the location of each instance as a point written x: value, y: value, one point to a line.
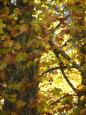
x: 18, y: 55
